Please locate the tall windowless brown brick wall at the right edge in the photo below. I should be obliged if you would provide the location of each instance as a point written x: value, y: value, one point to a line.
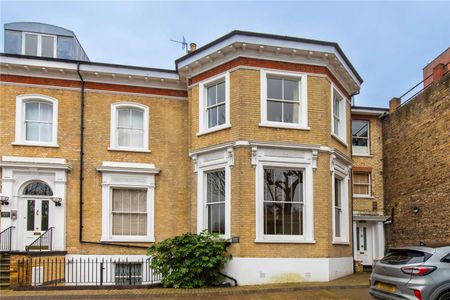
x: 417, y: 168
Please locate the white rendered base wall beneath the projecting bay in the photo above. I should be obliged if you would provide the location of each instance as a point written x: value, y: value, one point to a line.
x: 255, y: 270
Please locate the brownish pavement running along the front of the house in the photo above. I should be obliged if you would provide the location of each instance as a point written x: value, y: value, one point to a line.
x: 351, y: 287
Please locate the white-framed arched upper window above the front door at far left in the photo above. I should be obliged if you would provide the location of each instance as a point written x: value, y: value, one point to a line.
x: 36, y: 120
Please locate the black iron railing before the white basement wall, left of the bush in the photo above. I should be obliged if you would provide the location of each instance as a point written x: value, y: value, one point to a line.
x: 60, y: 271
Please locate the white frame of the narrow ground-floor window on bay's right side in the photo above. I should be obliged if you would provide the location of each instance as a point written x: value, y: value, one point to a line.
x: 340, y: 171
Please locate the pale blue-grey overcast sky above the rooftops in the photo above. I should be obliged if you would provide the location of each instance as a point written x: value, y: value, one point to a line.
x: 388, y: 42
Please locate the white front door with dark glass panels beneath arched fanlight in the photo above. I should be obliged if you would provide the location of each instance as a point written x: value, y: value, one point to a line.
x: 36, y: 219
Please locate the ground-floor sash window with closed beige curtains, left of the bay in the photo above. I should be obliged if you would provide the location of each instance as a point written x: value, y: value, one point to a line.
x: 129, y: 212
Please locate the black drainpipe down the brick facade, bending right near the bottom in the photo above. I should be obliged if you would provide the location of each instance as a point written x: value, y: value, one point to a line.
x: 81, y: 170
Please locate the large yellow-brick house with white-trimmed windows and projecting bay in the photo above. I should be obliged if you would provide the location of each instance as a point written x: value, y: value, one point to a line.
x: 250, y: 136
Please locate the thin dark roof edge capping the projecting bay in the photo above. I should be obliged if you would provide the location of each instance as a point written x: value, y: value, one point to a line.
x: 272, y: 36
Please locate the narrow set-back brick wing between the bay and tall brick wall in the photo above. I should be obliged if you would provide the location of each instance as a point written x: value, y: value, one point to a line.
x: 368, y: 194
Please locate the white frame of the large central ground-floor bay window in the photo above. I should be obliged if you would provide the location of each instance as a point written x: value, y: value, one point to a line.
x: 303, y: 162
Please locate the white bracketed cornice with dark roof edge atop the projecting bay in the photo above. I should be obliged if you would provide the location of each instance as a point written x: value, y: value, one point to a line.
x: 271, y: 47
